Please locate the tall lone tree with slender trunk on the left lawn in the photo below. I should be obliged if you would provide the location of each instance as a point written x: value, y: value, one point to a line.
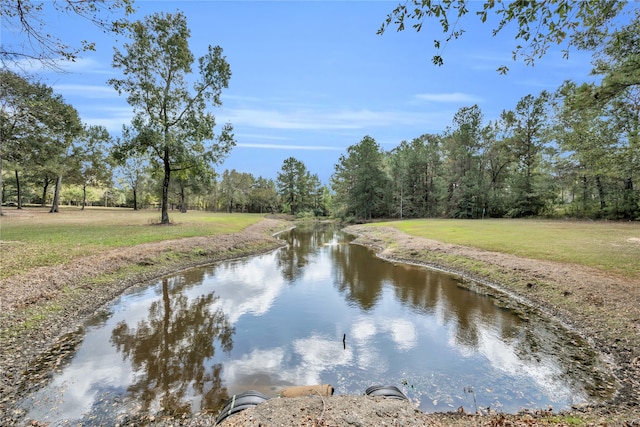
x: 171, y: 120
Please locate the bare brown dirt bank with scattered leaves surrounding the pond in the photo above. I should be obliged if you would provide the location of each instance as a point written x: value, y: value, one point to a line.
x: 603, y: 308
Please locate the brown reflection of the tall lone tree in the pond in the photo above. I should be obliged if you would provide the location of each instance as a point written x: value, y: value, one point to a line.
x: 170, y: 349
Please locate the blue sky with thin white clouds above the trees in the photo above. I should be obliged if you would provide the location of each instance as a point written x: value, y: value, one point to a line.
x: 311, y: 78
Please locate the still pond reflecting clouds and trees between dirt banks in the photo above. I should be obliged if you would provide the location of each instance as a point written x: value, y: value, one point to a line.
x: 319, y: 311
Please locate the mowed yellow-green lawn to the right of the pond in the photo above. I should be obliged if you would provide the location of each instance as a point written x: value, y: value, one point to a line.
x: 609, y: 246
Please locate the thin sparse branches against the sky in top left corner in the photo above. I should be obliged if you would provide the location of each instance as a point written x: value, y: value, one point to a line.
x: 26, y: 17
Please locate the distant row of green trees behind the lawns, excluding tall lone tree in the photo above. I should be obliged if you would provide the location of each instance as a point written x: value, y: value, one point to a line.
x: 541, y: 159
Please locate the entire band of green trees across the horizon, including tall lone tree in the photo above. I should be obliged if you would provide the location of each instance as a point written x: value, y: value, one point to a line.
x: 574, y: 152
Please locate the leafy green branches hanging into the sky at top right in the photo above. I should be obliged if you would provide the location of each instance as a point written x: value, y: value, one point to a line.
x: 539, y: 24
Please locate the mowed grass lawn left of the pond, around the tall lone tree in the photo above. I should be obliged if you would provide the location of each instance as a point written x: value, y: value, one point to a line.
x: 33, y: 237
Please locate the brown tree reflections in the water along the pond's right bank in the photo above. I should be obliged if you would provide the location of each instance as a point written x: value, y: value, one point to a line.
x: 478, y: 324
